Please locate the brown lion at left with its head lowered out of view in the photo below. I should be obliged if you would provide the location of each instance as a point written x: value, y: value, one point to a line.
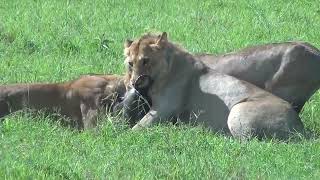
x: 80, y: 99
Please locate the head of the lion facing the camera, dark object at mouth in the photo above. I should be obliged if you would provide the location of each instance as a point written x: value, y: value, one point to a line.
x: 146, y: 57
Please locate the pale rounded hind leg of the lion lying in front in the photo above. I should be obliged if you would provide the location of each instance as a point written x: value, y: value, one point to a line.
x: 263, y: 119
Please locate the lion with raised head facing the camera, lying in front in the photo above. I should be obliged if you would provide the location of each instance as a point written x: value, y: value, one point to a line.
x: 182, y: 85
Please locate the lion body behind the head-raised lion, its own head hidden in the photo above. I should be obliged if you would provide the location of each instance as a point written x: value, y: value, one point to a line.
x: 289, y: 70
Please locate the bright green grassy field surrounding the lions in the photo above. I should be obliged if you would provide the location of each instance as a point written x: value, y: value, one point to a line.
x: 57, y: 40
